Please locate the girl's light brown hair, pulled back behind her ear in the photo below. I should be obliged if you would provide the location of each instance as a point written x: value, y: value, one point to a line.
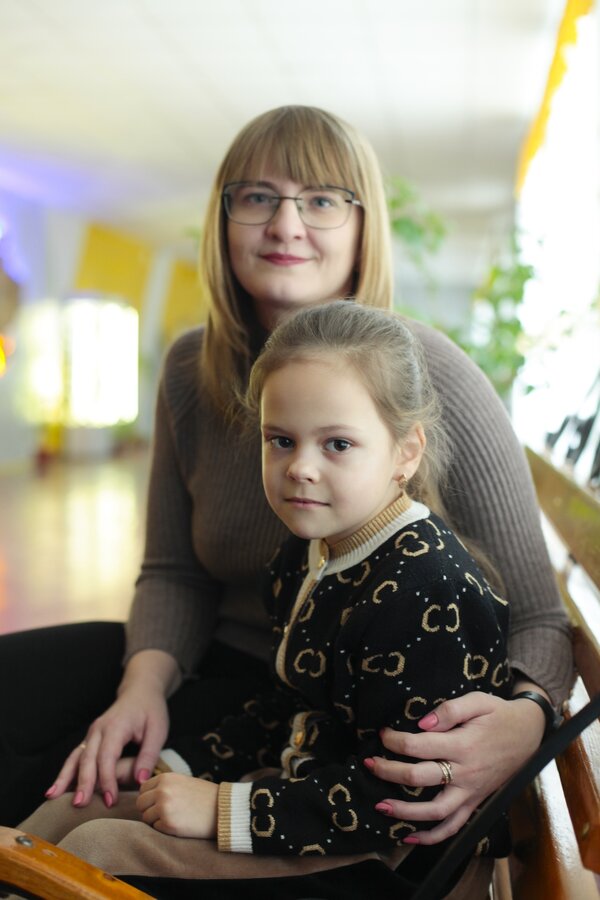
x: 388, y: 359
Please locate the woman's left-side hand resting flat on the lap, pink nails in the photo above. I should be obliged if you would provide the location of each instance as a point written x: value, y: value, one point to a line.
x: 139, y: 714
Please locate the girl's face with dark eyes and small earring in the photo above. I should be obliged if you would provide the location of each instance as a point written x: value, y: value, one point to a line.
x: 329, y: 462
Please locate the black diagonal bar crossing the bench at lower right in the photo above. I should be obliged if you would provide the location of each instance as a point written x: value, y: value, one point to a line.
x: 466, y: 840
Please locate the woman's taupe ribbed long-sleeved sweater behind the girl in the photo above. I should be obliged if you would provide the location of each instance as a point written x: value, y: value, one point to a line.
x: 210, y: 530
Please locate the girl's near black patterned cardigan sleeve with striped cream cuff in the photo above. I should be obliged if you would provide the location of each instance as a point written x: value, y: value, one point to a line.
x: 422, y: 647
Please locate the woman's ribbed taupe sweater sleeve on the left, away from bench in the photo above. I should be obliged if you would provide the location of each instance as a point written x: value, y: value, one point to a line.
x: 175, y: 602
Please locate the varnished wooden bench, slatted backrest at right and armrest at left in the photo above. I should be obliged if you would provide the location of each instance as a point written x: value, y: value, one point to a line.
x: 556, y: 822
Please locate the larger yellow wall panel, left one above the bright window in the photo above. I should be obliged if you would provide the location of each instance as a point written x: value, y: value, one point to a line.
x: 114, y: 263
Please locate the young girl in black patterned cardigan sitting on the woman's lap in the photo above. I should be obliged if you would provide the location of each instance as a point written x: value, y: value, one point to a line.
x: 379, y: 614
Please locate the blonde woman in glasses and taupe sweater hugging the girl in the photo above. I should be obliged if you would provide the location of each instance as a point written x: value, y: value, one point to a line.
x: 196, y: 619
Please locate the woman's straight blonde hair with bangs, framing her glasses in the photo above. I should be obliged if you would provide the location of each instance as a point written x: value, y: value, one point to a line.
x: 312, y: 147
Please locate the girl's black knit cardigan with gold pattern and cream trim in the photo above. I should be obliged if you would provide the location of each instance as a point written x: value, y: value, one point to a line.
x: 324, y: 726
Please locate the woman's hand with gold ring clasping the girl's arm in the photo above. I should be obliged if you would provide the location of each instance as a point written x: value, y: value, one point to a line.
x: 485, y: 739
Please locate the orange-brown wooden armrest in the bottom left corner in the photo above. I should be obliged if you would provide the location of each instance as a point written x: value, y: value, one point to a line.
x: 32, y: 865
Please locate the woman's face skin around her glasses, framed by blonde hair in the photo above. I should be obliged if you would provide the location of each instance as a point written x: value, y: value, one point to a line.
x: 285, y: 265
